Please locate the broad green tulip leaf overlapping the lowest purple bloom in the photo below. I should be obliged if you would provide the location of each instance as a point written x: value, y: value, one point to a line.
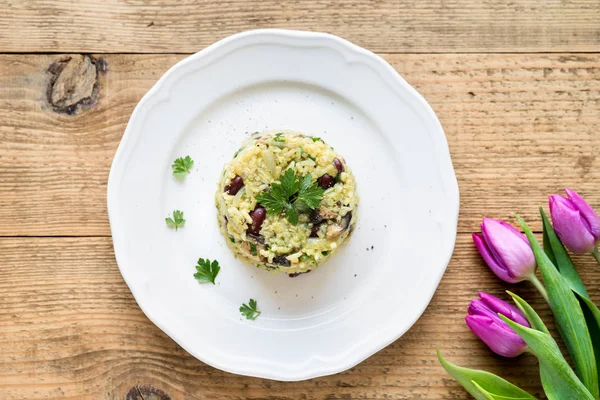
x: 558, y: 379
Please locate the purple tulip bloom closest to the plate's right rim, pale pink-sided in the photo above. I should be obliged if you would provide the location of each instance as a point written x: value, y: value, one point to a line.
x: 505, y: 250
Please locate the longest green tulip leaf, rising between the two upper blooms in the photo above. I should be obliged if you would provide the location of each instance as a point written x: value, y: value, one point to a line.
x: 568, y: 314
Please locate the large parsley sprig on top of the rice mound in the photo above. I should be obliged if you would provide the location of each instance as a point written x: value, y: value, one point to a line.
x: 292, y: 195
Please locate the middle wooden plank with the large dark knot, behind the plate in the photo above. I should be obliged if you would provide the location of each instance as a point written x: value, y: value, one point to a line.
x: 519, y: 127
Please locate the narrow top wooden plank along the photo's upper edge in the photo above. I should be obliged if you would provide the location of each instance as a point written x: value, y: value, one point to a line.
x: 161, y: 26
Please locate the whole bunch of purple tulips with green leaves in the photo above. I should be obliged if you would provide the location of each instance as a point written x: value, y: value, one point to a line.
x: 512, y: 330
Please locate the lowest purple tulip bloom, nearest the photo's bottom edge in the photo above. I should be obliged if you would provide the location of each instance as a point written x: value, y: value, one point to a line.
x: 484, y: 321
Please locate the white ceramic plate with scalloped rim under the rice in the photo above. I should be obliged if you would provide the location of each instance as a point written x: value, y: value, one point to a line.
x: 363, y: 299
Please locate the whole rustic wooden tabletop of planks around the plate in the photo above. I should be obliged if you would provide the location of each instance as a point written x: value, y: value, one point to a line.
x: 515, y: 84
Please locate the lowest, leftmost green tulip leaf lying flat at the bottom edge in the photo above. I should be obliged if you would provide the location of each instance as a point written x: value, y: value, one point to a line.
x: 483, y: 385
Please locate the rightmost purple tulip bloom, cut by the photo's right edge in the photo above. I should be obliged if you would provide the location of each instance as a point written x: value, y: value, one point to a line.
x: 575, y: 222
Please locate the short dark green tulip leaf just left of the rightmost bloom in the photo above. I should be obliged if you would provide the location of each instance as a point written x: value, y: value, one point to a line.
x: 560, y: 258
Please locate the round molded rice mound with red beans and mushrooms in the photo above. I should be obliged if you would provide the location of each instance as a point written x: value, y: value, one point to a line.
x: 271, y: 241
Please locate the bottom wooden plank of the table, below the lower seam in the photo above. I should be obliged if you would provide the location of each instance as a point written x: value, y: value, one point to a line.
x: 70, y: 328
